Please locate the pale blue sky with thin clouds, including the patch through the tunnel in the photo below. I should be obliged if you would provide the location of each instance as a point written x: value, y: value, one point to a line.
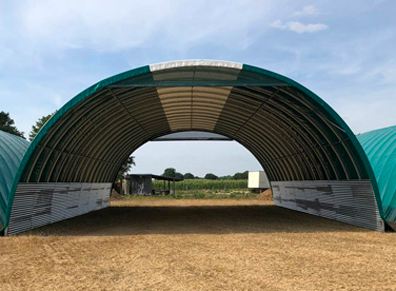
x: 344, y: 51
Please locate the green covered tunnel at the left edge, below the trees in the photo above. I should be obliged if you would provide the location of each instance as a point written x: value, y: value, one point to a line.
x: 12, y: 149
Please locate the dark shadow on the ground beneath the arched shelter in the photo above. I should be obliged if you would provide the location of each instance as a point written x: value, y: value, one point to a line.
x: 137, y: 220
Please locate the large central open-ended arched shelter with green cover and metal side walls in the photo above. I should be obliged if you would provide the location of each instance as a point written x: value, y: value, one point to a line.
x: 312, y: 158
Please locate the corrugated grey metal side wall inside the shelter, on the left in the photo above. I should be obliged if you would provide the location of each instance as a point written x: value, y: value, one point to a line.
x: 38, y: 204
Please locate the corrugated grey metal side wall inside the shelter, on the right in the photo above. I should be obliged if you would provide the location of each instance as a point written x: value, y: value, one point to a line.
x: 352, y: 202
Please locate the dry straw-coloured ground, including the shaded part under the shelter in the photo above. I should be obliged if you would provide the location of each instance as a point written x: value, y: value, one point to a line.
x: 150, y: 244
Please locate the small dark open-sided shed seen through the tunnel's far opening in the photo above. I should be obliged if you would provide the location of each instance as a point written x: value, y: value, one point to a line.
x: 142, y: 184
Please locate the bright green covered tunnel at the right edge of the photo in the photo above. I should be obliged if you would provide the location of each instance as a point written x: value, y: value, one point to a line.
x: 380, y: 147
